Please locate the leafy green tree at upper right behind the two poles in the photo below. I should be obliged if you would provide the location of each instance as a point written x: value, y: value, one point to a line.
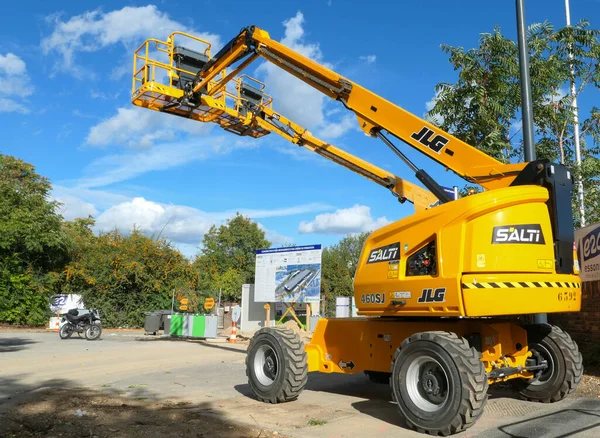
x: 483, y: 106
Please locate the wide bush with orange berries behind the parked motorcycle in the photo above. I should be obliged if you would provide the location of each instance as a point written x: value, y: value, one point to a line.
x: 123, y: 276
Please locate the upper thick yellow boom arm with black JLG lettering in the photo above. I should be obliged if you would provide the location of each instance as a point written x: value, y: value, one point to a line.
x: 374, y: 113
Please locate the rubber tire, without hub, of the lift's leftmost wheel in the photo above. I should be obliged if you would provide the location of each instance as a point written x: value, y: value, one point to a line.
x: 292, y: 370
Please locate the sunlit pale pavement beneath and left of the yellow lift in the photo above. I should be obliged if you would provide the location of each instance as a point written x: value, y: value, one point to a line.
x: 210, y: 377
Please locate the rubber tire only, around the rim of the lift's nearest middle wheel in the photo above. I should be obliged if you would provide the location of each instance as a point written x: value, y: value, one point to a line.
x: 466, y: 387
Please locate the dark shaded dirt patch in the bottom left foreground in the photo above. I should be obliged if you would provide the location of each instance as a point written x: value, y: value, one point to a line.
x: 75, y: 413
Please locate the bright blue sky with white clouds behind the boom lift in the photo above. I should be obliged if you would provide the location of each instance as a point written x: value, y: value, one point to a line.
x: 65, y: 84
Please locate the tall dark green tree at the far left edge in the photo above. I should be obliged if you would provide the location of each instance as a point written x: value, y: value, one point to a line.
x: 32, y: 243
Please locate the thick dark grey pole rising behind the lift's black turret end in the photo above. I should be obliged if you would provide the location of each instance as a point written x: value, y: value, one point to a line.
x: 526, y: 104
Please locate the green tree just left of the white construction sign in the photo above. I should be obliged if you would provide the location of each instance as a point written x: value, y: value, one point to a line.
x: 227, y: 258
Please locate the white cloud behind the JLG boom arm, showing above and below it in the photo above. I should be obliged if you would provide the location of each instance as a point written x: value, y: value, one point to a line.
x: 293, y: 98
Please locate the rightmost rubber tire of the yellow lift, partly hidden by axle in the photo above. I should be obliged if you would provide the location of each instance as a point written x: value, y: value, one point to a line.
x: 566, y: 363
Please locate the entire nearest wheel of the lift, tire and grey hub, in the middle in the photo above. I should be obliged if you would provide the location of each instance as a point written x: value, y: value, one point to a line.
x: 439, y: 383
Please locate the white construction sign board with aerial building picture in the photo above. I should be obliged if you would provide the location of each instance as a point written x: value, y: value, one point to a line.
x: 288, y: 275
